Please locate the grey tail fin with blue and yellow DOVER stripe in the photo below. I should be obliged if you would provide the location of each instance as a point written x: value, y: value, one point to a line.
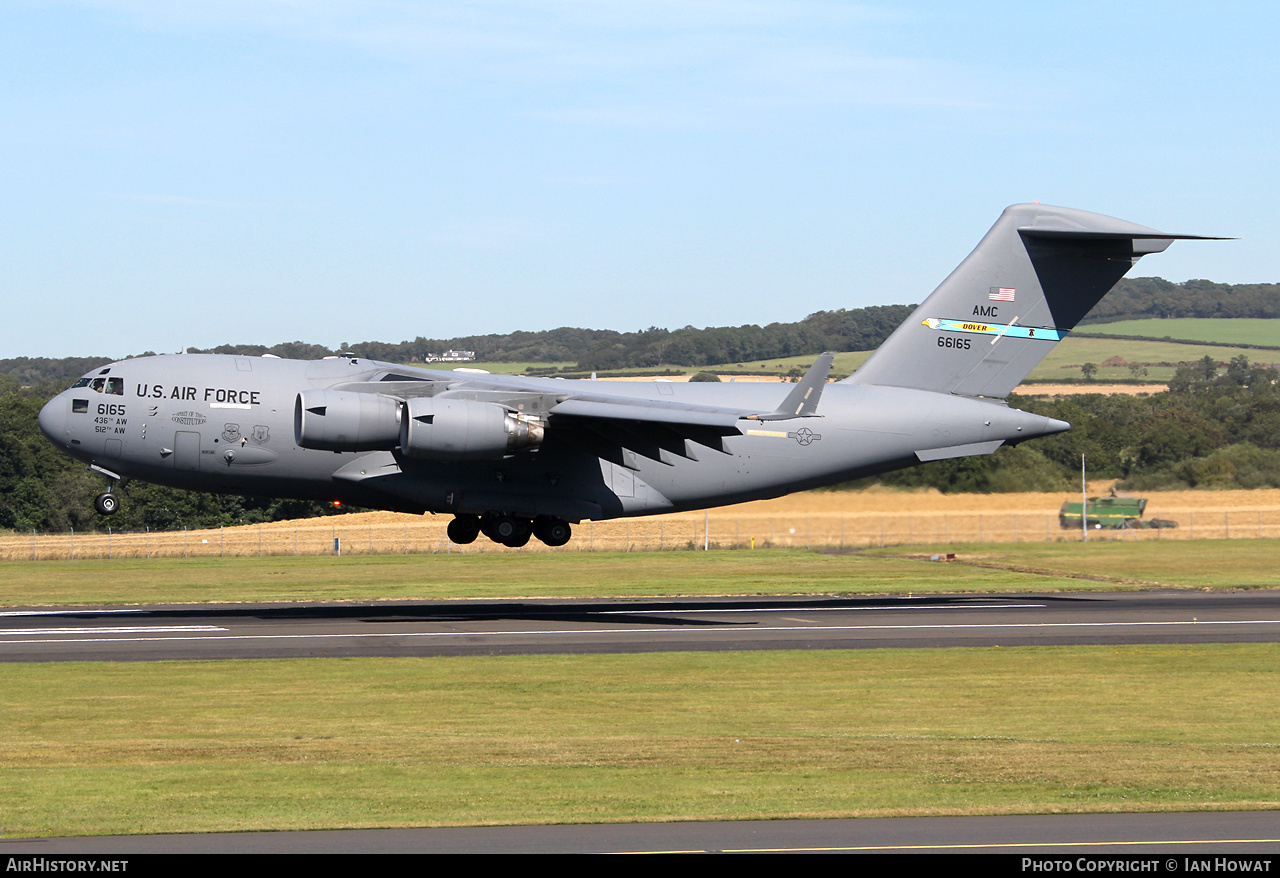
x: 1027, y: 283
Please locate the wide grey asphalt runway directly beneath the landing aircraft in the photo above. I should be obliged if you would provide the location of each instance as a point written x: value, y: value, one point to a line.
x: 227, y: 632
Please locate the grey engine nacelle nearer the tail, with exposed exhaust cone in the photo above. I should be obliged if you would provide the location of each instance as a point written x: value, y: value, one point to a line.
x: 464, y: 431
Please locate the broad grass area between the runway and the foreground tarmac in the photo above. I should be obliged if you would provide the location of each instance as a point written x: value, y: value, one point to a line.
x: 217, y: 747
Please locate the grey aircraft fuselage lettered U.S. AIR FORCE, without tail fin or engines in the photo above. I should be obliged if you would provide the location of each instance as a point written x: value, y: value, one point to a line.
x: 228, y: 424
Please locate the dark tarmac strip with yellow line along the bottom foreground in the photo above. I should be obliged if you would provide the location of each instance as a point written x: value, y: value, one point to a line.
x: 1167, y: 843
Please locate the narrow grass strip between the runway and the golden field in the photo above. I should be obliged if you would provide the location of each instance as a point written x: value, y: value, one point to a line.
x: 994, y: 568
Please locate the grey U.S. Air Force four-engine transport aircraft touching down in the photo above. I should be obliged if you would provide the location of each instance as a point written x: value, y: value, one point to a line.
x: 511, y: 458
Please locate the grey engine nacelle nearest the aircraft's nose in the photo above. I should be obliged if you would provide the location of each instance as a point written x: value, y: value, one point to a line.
x: 346, y: 422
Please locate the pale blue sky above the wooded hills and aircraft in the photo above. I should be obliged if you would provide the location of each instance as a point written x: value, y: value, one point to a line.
x: 271, y: 171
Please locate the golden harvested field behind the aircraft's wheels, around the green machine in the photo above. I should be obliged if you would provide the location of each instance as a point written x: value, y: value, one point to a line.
x: 871, y: 518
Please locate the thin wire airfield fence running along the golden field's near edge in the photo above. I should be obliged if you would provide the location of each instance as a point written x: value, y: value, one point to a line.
x: 427, y: 536
